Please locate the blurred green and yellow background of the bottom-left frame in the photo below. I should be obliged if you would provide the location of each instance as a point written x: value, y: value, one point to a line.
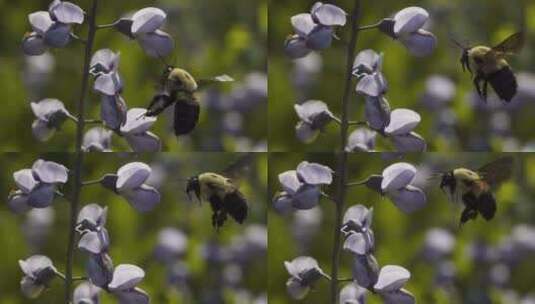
x: 228, y: 266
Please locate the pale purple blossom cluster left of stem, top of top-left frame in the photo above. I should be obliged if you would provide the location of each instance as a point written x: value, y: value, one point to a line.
x: 51, y: 28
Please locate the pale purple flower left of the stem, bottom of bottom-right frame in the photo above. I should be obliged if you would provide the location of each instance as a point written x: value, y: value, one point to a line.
x: 304, y: 272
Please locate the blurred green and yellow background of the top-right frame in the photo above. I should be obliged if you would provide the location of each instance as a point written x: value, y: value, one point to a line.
x: 453, y: 119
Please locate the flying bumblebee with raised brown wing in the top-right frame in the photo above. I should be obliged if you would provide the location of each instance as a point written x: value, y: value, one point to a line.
x: 489, y: 65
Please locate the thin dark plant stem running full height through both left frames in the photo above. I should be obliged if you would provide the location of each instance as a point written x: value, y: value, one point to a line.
x: 79, y: 153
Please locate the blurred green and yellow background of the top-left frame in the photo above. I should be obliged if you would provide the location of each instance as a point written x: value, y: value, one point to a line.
x: 212, y: 38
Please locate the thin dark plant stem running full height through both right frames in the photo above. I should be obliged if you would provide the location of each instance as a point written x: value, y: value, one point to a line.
x: 341, y: 168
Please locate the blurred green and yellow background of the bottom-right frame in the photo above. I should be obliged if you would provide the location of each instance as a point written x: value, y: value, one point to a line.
x: 482, y: 262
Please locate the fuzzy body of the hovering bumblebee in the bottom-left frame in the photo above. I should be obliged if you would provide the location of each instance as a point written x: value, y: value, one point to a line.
x: 224, y: 197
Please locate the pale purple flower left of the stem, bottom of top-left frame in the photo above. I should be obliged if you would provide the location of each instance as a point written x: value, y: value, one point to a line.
x: 50, y: 114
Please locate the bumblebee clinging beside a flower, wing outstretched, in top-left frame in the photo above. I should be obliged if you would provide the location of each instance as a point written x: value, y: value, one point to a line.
x: 180, y: 88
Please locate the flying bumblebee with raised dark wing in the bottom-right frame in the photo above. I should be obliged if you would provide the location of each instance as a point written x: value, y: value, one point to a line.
x: 475, y: 187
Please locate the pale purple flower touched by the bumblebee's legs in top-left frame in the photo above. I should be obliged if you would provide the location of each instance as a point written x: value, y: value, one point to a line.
x: 136, y: 131
